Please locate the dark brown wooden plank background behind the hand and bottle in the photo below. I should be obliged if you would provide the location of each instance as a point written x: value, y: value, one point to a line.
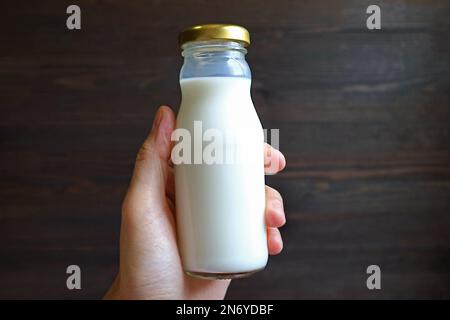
x: 364, y: 120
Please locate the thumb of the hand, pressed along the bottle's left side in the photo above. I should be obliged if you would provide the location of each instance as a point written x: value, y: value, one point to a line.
x: 151, y: 168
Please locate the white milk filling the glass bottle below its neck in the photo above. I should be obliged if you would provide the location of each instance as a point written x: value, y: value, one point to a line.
x: 220, y: 207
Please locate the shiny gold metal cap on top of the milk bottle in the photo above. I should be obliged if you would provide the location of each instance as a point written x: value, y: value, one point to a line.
x: 215, y: 32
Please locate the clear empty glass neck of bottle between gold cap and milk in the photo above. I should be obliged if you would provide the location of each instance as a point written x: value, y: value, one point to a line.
x: 214, y: 58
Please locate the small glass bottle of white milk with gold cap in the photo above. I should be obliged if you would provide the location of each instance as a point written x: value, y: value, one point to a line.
x: 218, y: 157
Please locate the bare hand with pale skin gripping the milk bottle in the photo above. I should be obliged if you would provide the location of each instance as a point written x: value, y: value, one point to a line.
x: 150, y: 263
